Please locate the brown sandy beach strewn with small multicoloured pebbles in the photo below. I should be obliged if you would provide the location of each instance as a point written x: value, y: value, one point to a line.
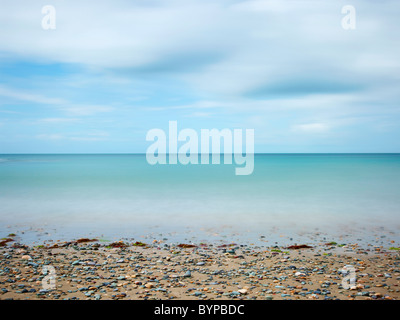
x: 90, y: 269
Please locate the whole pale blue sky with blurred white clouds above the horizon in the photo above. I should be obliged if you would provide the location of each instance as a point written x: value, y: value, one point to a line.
x: 111, y: 71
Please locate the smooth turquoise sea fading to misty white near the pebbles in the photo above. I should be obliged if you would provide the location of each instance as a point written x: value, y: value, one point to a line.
x: 114, y: 196
